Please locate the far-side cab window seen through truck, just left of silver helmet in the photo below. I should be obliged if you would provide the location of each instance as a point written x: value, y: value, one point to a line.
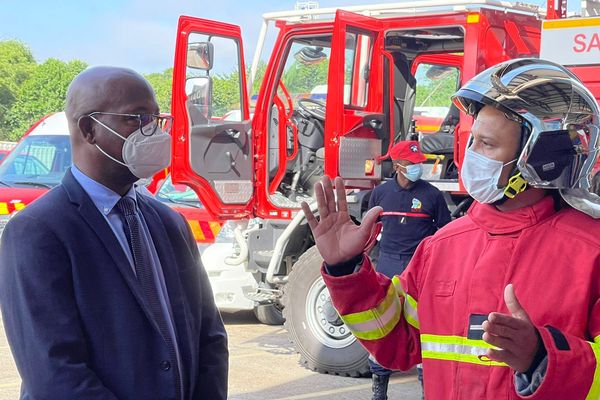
x: 435, y: 86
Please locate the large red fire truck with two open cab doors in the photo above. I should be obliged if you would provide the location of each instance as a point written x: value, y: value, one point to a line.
x: 382, y: 68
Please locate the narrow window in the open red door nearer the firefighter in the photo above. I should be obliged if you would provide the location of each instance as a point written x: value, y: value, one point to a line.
x: 356, y: 69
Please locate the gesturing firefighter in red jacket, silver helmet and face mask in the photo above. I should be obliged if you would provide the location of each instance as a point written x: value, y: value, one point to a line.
x: 503, y: 303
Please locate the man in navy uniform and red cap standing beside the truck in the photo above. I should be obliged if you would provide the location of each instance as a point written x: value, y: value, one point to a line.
x: 412, y: 210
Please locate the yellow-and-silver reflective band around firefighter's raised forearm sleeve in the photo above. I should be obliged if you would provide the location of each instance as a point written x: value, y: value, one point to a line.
x: 377, y: 322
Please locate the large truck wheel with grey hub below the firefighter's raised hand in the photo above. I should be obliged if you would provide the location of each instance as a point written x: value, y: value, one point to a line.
x: 324, y: 342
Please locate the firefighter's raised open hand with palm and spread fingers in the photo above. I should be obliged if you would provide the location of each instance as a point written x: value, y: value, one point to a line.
x: 338, y: 238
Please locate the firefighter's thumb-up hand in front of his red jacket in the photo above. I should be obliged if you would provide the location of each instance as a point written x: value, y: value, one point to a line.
x: 514, y: 335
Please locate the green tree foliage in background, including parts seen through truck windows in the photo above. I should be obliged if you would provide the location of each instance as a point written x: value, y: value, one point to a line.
x: 29, y: 90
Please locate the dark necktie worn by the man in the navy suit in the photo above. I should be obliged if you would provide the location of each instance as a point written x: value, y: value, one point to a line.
x: 145, y: 277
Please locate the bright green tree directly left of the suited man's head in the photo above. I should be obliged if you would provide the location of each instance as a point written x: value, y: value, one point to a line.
x: 42, y: 93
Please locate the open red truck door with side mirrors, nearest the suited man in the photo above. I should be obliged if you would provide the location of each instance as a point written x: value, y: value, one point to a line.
x: 212, y: 147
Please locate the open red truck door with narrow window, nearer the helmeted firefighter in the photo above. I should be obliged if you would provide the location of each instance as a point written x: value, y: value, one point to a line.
x: 357, y: 132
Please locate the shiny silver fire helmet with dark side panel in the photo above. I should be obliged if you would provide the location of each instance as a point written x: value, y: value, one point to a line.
x: 560, y: 118
